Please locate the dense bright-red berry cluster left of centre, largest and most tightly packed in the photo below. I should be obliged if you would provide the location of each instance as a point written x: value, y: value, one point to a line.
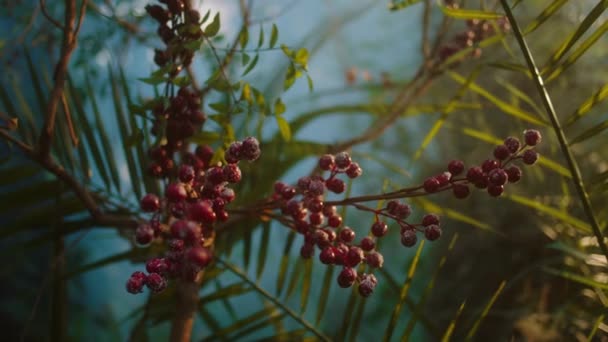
x: 191, y: 206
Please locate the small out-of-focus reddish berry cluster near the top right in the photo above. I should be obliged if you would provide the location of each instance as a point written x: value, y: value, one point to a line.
x: 477, y: 30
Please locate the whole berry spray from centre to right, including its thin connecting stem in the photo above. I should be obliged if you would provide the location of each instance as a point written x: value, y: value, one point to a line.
x: 322, y: 227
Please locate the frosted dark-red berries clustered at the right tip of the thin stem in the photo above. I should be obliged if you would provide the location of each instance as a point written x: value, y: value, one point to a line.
x: 492, y: 174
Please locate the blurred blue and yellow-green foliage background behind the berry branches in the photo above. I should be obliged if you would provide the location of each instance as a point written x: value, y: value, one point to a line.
x: 529, y: 255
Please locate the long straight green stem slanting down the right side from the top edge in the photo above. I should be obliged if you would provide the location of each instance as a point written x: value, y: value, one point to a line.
x: 561, y: 137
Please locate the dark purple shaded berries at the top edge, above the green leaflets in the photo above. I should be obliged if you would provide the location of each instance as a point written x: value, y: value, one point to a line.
x: 177, y: 28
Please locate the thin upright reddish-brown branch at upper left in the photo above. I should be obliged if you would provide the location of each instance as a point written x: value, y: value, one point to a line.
x: 61, y: 68
